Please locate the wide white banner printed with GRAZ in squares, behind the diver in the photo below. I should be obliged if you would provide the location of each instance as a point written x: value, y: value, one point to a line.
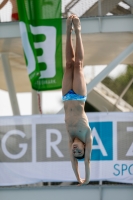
x: 35, y: 148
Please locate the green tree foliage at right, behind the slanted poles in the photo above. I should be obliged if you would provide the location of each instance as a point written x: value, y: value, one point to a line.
x: 118, y: 85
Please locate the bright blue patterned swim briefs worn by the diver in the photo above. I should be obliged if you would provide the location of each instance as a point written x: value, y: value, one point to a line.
x: 72, y: 96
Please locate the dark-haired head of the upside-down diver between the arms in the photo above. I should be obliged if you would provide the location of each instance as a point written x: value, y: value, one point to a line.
x: 78, y: 149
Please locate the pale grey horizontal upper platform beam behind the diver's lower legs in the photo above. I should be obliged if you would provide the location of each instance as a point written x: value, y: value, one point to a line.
x: 89, y: 25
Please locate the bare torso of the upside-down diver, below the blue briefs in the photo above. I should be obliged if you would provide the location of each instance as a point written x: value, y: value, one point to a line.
x: 76, y: 120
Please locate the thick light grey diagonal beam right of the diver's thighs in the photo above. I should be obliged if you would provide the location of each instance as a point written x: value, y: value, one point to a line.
x: 122, y: 56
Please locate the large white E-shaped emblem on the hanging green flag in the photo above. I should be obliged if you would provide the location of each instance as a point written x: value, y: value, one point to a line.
x: 49, y: 49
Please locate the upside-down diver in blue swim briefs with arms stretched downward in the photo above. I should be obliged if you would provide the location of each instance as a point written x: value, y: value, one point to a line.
x: 74, y: 97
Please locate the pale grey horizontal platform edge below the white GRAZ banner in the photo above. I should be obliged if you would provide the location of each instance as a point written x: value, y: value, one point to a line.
x: 104, y: 192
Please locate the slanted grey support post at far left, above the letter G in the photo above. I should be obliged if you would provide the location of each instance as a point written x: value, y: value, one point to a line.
x: 10, y: 84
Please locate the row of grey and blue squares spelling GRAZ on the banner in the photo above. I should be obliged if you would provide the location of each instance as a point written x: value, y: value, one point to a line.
x: 49, y: 142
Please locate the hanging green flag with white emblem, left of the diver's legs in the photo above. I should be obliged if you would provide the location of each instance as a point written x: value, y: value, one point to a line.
x: 41, y: 32
